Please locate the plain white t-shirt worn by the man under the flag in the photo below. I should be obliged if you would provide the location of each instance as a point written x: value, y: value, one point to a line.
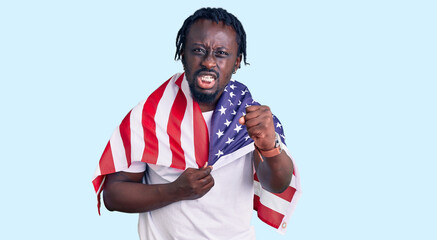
x: 223, y: 213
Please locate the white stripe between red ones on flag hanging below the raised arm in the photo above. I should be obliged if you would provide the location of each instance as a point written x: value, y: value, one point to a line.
x: 270, y: 200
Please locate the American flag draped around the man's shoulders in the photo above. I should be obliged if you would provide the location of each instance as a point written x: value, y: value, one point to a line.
x: 168, y: 129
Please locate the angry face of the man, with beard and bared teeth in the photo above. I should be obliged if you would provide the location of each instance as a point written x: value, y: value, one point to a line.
x: 210, y: 55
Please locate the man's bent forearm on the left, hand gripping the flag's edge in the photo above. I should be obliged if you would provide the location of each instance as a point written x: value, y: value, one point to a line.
x: 125, y: 192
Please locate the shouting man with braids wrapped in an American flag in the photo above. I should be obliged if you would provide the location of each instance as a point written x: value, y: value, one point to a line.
x: 185, y: 158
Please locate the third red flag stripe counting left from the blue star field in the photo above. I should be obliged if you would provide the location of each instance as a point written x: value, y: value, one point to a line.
x: 150, y: 154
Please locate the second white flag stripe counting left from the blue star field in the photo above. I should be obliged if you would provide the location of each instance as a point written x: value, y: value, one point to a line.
x: 161, y: 119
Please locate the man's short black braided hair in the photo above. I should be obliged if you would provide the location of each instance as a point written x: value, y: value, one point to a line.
x: 217, y: 15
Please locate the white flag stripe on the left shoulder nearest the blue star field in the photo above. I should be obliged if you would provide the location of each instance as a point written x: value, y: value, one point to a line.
x: 187, y: 129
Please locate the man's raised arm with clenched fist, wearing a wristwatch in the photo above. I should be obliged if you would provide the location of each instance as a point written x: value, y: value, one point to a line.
x: 274, y: 173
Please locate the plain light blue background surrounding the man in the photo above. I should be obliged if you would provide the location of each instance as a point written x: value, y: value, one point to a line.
x: 354, y: 83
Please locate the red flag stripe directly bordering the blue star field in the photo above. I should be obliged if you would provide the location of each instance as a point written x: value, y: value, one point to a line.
x: 201, y: 138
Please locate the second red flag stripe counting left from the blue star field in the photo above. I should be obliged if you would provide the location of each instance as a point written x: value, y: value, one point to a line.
x: 174, y: 130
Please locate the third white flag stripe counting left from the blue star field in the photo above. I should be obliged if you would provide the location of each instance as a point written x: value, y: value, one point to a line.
x: 137, y: 132
